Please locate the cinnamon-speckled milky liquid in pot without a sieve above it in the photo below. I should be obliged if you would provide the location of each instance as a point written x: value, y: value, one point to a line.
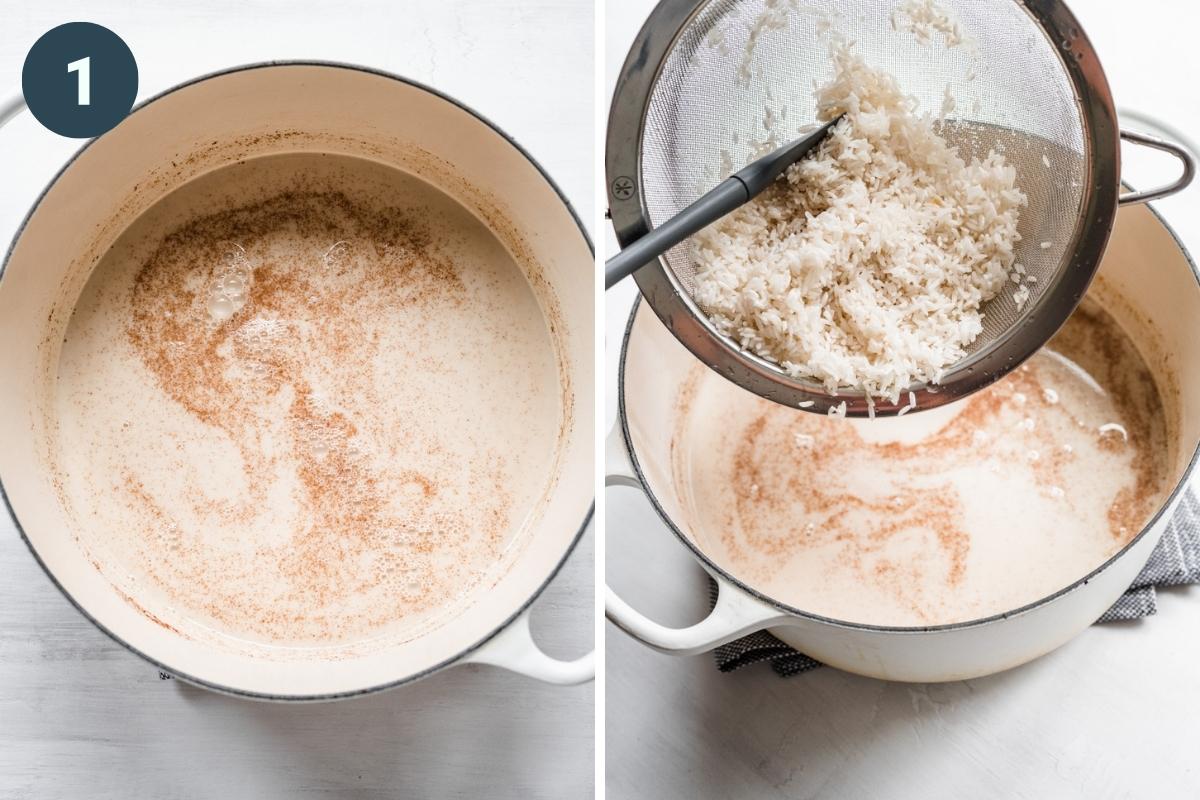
x: 307, y: 400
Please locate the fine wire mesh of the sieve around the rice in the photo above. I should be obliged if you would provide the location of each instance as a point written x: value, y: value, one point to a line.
x: 710, y: 107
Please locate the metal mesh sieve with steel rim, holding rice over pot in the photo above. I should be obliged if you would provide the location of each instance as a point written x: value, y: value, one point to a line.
x: 709, y: 82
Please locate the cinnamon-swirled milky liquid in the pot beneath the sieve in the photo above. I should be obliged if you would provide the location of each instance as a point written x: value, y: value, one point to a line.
x: 956, y: 514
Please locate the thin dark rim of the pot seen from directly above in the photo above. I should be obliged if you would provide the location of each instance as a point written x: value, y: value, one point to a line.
x: 331, y: 696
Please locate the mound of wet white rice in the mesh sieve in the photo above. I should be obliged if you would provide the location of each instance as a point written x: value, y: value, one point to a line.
x: 866, y: 267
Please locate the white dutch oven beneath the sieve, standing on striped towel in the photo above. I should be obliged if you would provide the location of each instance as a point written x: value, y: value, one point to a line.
x: 1145, y: 264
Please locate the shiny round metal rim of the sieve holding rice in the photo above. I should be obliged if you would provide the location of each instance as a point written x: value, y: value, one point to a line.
x: 674, y: 305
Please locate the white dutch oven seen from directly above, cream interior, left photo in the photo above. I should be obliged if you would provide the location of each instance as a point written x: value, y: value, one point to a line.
x: 253, y: 112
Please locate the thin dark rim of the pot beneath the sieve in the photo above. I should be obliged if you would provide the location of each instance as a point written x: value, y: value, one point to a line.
x: 721, y: 574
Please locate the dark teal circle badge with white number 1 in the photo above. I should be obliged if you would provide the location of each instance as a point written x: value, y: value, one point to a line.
x: 80, y: 80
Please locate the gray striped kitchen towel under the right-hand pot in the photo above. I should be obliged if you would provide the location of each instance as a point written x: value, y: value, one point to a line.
x: 1174, y: 563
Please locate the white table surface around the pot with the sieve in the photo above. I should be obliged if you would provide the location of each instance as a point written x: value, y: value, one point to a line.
x: 1114, y: 714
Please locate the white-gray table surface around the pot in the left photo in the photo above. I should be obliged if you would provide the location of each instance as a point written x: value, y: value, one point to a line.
x: 82, y: 718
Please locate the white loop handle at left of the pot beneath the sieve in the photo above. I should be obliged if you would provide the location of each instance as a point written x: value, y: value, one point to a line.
x: 735, y: 615
